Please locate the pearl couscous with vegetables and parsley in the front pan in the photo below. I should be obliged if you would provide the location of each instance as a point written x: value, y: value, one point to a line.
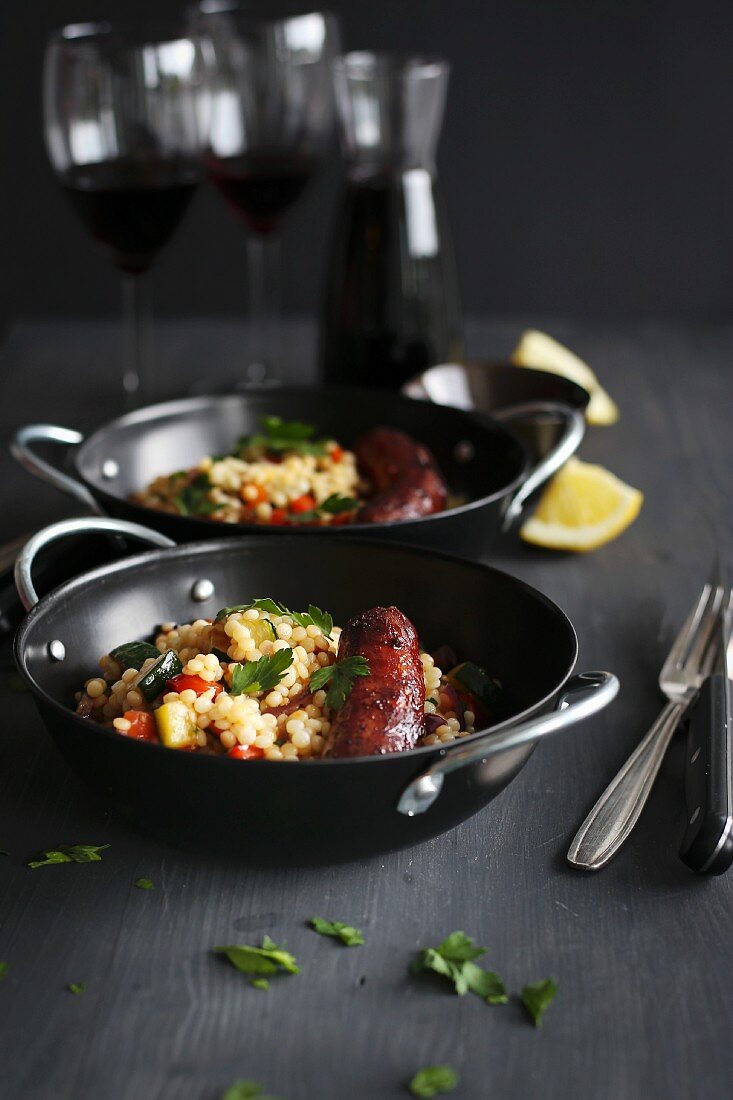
x: 260, y: 681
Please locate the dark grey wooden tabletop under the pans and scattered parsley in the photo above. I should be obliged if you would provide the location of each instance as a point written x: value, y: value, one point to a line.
x: 643, y: 951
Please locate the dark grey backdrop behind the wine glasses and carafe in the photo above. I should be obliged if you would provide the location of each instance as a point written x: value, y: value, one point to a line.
x: 587, y: 162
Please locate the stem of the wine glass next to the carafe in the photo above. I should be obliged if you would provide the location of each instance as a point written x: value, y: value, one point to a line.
x: 264, y: 265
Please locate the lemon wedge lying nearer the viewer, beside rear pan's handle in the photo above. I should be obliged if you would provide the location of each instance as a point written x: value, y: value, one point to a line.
x: 584, y: 508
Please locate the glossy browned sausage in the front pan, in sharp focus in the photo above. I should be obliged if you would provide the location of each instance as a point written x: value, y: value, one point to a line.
x: 385, y: 711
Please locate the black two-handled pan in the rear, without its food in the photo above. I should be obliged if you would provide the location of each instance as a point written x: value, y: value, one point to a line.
x: 482, y: 460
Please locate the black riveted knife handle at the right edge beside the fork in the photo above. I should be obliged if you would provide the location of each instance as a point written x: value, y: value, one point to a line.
x: 708, y: 843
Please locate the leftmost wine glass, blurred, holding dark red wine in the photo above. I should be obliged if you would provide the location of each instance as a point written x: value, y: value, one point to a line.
x: 127, y: 119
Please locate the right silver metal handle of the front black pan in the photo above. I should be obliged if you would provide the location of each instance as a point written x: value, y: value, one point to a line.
x: 584, y: 696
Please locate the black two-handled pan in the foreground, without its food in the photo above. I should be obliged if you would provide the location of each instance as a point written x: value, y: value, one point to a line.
x: 319, y: 811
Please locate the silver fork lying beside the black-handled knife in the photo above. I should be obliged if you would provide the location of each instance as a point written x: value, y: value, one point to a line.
x: 691, y: 659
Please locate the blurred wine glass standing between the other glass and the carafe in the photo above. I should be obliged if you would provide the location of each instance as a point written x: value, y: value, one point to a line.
x: 272, y: 122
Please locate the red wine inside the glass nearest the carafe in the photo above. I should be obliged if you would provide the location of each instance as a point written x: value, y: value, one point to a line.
x: 261, y: 188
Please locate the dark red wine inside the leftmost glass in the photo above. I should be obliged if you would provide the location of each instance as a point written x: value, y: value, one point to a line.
x: 133, y: 206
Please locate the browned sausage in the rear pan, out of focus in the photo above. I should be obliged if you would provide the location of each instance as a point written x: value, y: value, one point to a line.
x: 406, y: 477
